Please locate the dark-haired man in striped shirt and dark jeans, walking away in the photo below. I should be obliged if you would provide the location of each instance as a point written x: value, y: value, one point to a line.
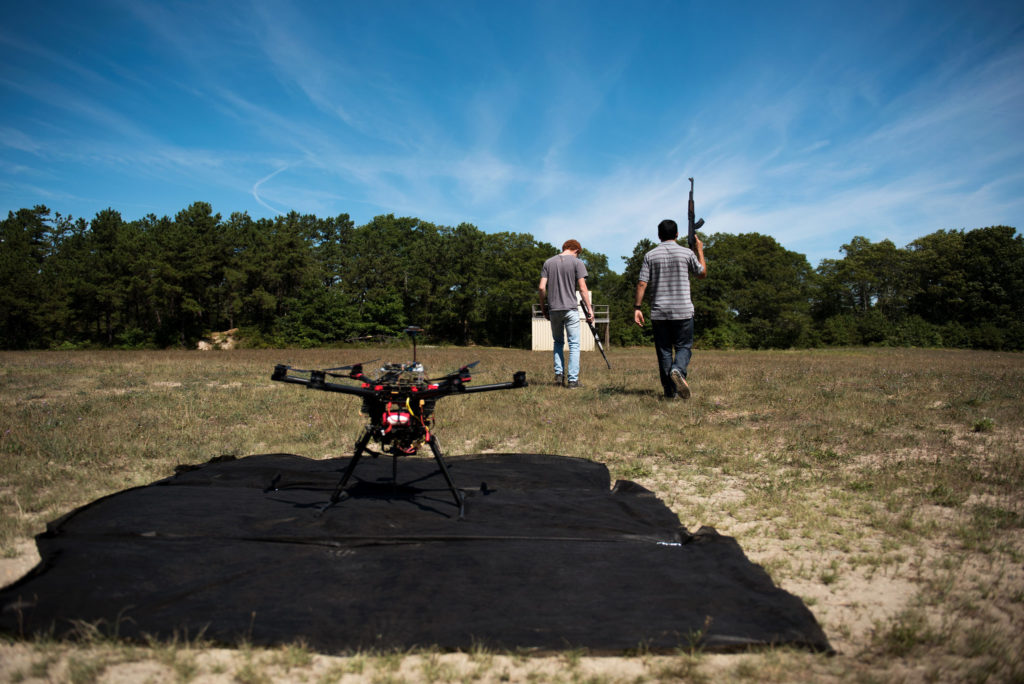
x: 666, y: 272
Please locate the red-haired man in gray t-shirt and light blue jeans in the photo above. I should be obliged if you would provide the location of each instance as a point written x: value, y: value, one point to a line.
x: 561, y: 277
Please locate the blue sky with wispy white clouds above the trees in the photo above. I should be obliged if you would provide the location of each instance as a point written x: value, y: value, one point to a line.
x: 813, y: 122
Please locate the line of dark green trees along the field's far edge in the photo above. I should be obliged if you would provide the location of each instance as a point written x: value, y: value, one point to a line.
x: 303, y: 281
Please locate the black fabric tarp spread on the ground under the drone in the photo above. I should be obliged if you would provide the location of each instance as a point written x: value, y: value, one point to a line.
x: 549, y: 557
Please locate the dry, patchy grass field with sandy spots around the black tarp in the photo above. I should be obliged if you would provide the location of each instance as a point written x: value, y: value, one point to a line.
x: 883, y: 487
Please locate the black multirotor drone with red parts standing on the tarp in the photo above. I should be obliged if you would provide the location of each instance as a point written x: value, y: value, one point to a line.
x: 400, y: 404
